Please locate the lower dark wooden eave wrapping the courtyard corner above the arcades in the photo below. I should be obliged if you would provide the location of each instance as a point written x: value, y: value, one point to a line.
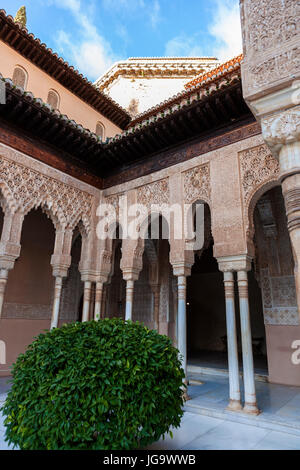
x: 201, y: 119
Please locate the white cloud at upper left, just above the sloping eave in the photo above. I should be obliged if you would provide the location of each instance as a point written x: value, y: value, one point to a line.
x: 91, y: 54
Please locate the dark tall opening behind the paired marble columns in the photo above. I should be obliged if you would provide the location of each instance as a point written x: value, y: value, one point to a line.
x: 206, y: 313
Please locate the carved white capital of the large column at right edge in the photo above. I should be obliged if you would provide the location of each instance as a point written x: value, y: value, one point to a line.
x: 282, y: 128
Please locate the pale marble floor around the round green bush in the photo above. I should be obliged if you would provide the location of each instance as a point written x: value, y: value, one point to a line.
x: 280, y: 404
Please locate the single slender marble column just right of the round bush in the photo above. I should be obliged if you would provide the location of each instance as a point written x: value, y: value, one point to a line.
x: 182, y: 322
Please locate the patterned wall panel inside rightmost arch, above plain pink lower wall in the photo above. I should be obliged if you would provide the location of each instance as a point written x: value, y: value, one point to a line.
x: 279, y: 299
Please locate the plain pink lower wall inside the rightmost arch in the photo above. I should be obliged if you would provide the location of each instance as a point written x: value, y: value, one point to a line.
x: 279, y: 341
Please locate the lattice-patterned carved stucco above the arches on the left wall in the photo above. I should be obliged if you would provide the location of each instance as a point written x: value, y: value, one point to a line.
x: 25, y: 189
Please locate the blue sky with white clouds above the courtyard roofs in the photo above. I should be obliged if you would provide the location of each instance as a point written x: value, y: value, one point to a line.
x: 93, y: 34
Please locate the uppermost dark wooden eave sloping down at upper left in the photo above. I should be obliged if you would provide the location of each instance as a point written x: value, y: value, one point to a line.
x: 16, y: 36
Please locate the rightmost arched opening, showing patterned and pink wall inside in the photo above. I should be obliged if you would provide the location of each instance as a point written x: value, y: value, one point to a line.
x: 274, y: 273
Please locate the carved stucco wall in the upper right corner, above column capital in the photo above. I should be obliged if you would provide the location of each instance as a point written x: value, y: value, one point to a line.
x: 271, y: 30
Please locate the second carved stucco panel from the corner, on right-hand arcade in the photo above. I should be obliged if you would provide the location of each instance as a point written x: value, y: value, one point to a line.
x: 154, y: 193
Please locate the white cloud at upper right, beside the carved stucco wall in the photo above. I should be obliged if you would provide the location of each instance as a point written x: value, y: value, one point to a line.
x: 225, y: 32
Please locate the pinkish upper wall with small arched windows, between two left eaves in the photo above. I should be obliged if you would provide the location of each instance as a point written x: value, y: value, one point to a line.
x: 39, y: 83
